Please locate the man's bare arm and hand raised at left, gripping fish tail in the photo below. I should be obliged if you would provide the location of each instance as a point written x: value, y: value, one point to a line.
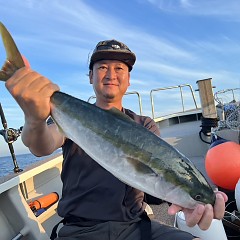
x: 32, y: 92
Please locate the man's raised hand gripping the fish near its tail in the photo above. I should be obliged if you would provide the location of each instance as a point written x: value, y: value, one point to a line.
x: 32, y: 92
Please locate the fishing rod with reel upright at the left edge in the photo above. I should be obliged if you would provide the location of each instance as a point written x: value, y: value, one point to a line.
x: 10, y: 135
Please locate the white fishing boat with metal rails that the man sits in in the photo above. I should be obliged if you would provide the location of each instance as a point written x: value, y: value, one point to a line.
x: 29, y: 198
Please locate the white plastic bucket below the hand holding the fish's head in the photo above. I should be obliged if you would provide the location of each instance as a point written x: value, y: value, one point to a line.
x: 215, y: 231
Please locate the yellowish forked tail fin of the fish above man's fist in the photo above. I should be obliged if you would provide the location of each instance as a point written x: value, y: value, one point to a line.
x: 14, y: 59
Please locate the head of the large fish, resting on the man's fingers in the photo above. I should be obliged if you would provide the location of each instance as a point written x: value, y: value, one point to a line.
x: 184, y: 184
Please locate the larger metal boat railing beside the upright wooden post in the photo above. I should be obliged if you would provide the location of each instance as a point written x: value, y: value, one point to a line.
x: 180, y: 87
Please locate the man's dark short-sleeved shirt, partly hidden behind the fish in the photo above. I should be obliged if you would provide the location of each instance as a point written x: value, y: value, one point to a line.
x: 91, y: 192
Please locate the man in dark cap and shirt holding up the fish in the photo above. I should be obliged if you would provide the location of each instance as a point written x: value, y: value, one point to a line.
x: 95, y: 204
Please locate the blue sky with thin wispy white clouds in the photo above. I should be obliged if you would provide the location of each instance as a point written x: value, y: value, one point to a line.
x: 176, y: 42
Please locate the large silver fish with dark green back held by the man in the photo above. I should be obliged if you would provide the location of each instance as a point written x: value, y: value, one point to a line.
x: 126, y: 149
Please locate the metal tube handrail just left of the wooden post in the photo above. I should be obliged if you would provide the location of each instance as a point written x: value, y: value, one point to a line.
x: 171, y: 87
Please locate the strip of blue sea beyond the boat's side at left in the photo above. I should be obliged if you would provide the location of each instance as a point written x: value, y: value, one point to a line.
x: 23, y: 160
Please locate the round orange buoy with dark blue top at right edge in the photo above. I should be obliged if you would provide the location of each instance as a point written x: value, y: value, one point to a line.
x: 223, y: 163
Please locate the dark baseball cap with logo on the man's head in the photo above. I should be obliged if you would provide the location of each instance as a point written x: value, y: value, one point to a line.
x: 112, y: 50
